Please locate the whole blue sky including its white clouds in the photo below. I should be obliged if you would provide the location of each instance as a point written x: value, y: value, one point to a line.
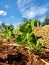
x: 13, y: 11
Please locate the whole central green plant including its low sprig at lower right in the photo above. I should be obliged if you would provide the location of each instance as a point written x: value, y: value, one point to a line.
x: 27, y: 36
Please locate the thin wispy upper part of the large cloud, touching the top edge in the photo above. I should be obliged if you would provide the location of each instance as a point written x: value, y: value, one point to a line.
x: 24, y: 4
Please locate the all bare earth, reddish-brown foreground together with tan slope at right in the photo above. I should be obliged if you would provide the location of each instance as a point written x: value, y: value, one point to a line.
x: 20, y: 55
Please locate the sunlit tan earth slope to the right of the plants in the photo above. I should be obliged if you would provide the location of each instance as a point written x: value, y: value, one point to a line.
x: 44, y: 32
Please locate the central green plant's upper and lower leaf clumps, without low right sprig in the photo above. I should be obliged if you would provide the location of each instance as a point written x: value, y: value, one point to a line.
x: 26, y: 30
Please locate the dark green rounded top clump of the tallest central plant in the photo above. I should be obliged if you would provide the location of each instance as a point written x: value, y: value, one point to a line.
x: 27, y: 27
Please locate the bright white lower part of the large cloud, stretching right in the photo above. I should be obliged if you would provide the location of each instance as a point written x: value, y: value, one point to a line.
x: 35, y: 11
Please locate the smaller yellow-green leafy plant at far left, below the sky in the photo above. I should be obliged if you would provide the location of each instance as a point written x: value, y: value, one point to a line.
x: 8, y: 31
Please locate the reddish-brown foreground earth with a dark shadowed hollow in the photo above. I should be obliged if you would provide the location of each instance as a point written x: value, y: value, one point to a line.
x: 19, y: 55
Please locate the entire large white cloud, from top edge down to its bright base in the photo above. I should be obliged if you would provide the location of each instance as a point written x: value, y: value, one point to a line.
x: 29, y: 10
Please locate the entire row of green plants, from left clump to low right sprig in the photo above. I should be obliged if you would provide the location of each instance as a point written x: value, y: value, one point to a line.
x: 23, y: 35
